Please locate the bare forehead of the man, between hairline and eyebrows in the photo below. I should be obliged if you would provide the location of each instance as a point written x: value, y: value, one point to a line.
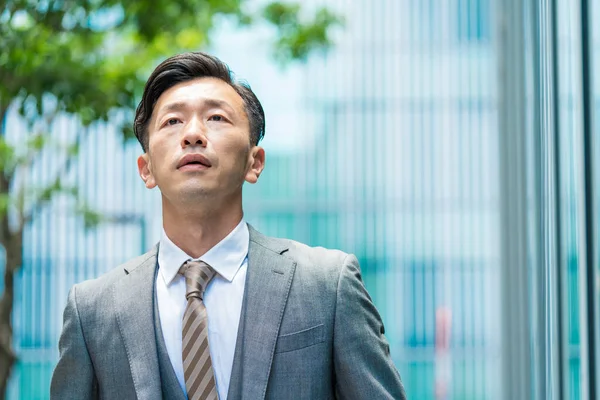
x: 199, y: 91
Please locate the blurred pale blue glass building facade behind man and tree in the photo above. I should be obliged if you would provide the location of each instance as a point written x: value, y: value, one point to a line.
x: 451, y: 145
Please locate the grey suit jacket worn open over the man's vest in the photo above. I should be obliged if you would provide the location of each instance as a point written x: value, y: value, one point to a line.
x: 308, y: 330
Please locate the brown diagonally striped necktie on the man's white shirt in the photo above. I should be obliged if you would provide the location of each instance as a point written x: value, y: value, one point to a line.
x: 197, y: 365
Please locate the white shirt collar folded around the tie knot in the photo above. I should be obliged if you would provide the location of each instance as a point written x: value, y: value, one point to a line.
x: 226, y: 257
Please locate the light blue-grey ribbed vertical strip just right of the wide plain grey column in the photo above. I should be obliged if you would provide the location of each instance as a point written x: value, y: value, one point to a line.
x: 546, y: 147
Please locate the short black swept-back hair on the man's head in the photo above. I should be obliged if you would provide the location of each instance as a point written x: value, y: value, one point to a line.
x: 185, y: 67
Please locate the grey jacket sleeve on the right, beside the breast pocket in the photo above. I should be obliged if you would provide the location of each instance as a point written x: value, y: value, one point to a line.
x: 363, y: 366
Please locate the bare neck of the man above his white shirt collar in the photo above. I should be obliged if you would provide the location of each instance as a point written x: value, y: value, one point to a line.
x: 197, y: 231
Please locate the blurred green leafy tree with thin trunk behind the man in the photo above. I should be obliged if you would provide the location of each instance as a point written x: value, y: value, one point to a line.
x: 87, y: 58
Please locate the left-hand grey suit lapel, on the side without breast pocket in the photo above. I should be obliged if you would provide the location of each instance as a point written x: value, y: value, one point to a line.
x: 134, y: 295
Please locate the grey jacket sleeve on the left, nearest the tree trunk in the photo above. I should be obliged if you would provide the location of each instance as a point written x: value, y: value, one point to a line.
x: 73, y: 377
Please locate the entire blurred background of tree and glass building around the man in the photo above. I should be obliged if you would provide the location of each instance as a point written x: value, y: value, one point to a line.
x: 452, y: 145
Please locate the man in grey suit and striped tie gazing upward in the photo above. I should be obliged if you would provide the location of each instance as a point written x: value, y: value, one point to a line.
x: 216, y: 308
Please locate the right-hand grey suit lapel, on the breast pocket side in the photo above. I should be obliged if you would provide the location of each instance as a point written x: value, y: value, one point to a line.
x: 268, y: 282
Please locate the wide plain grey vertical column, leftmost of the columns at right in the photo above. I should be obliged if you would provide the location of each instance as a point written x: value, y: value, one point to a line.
x: 515, y: 280
